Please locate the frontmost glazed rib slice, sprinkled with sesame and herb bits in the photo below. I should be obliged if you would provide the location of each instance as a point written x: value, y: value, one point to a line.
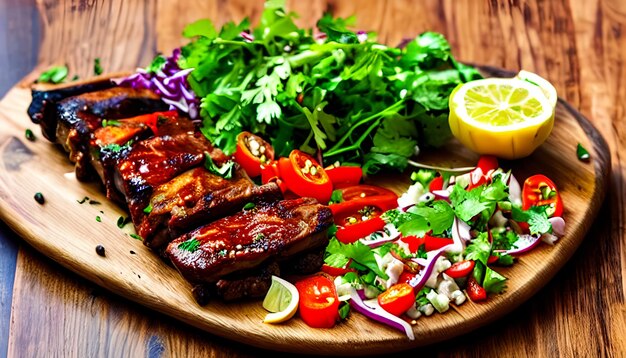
x: 245, y: 240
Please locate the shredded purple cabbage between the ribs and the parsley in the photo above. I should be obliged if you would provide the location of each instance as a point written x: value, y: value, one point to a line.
x: 169, y: 82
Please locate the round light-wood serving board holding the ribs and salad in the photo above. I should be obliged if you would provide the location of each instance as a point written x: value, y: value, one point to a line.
x: 68, y: 232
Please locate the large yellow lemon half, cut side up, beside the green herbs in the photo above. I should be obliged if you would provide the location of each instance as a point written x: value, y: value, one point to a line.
x: 505, y: 117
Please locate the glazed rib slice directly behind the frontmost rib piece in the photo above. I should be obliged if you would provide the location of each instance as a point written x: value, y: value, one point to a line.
x: 217, y: 196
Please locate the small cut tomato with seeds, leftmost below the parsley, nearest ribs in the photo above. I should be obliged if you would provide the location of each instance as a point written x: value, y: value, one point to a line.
x: 252, y: 151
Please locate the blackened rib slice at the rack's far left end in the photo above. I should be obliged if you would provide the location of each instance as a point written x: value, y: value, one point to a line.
x: 43, y: 107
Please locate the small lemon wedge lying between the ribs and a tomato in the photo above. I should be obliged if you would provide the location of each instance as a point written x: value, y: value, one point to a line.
x: 281, y: 300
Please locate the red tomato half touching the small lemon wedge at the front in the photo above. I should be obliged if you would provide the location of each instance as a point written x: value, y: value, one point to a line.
x: 319, y: 303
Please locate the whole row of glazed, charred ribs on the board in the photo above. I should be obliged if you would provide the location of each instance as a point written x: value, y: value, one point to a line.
x: 153, y: 161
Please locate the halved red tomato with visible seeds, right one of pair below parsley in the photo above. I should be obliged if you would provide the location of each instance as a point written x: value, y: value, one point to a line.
x: 305, y: 177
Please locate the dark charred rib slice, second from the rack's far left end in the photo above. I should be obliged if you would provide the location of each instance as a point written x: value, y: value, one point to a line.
x: 79, y: 116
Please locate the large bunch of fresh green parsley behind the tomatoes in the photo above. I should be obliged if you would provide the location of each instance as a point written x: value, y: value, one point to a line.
x: 337, y: 93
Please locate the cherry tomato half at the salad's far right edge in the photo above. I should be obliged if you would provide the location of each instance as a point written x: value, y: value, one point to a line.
x: 539, y: 190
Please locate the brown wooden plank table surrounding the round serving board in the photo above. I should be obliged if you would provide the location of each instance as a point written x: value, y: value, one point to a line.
x: 46, y: 310
